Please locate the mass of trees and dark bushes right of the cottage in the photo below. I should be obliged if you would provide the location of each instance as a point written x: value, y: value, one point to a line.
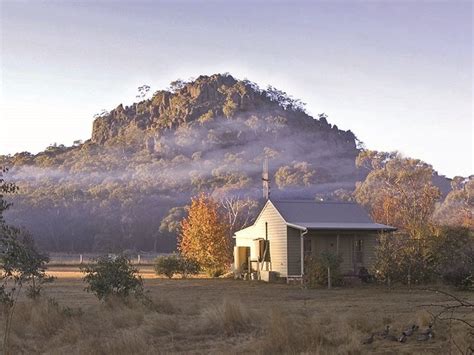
x: 435, y: 237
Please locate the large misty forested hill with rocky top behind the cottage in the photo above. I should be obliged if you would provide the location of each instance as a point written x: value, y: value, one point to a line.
x: 145, y: 161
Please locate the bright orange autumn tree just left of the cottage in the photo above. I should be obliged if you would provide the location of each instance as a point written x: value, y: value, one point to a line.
x: 205, y: 236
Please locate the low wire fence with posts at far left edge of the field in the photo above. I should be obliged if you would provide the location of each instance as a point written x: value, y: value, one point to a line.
x: 87, y: 258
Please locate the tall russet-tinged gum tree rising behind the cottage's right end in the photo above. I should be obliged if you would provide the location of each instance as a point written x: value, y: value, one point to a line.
x: 398, y: 191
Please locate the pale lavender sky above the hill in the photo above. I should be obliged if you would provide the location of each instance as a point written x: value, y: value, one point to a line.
x: 396, y: 73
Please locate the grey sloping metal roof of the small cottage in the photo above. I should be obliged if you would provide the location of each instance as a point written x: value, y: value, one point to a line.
x: 327, y: 215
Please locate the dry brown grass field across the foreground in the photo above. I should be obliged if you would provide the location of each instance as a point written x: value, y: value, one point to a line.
x: 228, y: 316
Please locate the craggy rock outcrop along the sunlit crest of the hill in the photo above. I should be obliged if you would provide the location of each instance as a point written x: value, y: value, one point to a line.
x: 194, y: 102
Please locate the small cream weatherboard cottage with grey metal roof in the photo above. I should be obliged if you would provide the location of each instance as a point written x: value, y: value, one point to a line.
x: 287, y: 231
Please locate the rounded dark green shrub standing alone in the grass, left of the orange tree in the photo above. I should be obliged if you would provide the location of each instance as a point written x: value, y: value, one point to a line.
x: 112, y: 276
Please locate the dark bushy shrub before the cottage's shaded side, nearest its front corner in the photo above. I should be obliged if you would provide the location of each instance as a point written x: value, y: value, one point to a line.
x: 317, y: 269
